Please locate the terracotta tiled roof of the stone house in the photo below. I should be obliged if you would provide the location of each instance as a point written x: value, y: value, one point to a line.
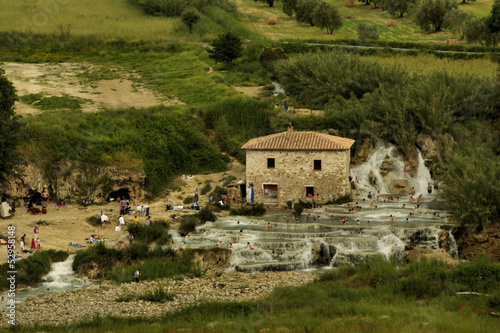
x: 296, y: 140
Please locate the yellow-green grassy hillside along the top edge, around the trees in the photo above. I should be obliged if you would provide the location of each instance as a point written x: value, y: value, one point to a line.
x: 118, y: 19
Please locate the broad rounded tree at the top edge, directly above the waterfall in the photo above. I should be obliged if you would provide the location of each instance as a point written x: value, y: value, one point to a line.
x: 430, y: 13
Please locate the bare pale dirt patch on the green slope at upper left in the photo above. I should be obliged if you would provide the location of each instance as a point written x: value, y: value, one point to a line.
x: 93, y: 87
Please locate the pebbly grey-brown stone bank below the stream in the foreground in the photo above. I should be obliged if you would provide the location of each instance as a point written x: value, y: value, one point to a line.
x: 122, y: 300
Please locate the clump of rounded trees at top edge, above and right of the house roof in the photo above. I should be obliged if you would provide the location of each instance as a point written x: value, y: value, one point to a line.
x: 314, y: 12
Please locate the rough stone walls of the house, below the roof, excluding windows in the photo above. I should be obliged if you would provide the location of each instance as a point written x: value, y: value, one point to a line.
x: 294, y: 170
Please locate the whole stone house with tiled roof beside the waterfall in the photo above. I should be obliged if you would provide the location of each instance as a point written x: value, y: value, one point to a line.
x: 297, y: 165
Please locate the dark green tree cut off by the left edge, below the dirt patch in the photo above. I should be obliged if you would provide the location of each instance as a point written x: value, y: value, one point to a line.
x: 10, y: 129
